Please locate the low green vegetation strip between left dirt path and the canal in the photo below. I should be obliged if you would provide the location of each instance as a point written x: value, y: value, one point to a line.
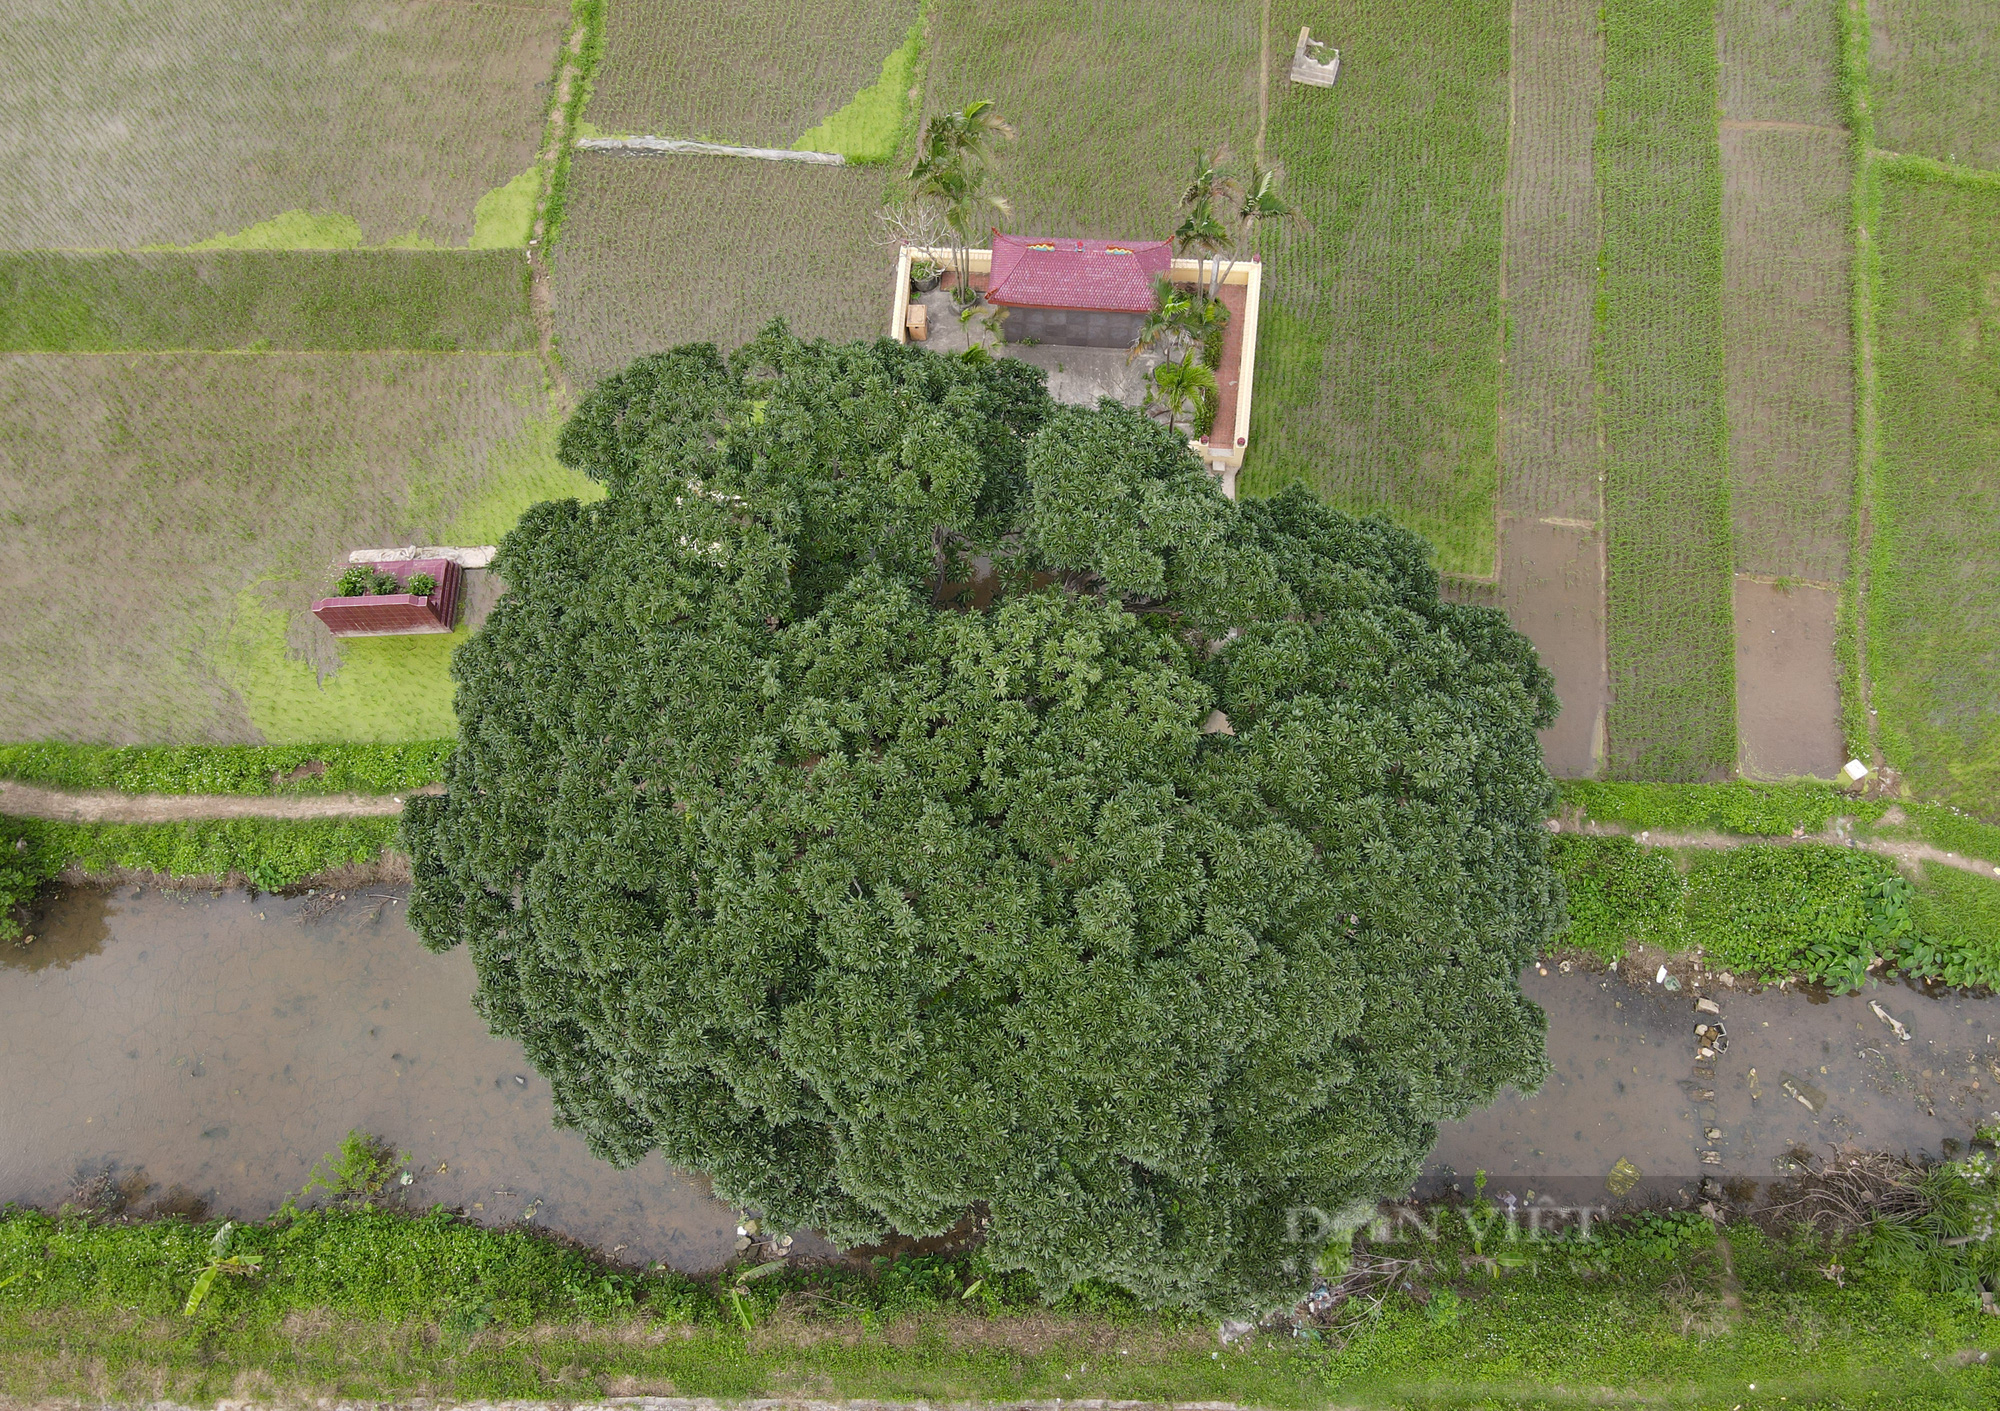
x: 267, y: 852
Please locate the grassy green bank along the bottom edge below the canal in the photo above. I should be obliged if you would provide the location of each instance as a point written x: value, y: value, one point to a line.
x: 361, y: 1304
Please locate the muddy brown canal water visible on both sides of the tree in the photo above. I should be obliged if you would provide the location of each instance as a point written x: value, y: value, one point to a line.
x: 207, y: 1050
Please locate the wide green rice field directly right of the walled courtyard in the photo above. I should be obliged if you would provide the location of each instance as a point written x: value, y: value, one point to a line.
x: 1379, y: 371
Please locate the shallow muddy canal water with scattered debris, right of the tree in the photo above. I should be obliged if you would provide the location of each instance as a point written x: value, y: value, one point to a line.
x: 1795, y: 1072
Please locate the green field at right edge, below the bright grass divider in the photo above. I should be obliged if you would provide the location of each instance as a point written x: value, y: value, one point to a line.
x: 1935, y: 561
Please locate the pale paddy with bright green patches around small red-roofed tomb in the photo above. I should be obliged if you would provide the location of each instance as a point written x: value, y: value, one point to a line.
x: 173, y: 517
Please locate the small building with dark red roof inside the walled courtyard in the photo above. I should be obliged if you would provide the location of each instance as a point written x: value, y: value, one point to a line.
x: 1081, y: 293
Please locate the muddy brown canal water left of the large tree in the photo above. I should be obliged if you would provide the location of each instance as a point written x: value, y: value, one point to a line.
x: 199, y: 1054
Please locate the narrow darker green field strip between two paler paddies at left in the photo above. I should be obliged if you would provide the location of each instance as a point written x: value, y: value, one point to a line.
x: 339, y: 301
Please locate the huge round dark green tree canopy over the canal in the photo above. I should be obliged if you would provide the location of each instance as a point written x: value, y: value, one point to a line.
x: 879, y: 898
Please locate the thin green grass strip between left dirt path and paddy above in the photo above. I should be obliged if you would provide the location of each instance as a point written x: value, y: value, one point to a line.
x: 343, y: 768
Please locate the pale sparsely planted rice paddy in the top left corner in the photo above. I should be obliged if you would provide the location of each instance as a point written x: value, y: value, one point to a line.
x: 177, y: 121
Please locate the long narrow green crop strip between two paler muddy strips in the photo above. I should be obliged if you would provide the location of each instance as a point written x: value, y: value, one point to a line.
x: 1661, y: 375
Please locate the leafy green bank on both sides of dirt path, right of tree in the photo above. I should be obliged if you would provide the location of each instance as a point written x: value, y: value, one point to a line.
x: 1775, y: 910
